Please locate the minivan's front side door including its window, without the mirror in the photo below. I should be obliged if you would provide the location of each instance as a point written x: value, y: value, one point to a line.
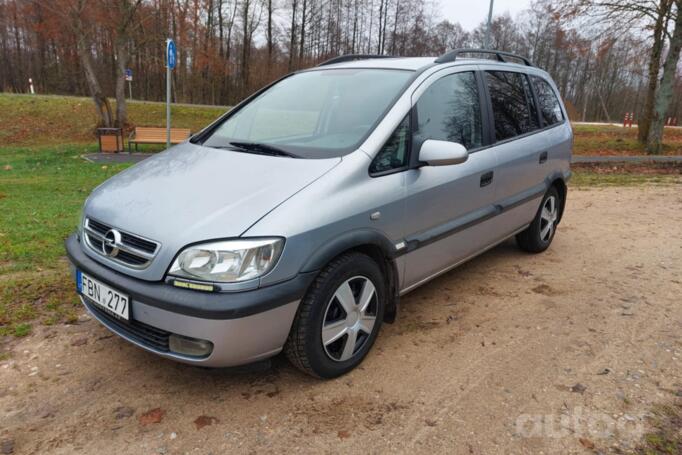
x: 446, y: 204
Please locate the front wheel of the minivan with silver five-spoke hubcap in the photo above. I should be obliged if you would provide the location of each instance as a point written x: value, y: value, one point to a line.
x: 347, y: 299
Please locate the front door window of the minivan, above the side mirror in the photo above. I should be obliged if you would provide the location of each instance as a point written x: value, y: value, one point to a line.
x: 449, y: 110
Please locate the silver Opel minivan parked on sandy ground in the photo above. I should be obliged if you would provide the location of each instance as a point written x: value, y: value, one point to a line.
x: 297, y: 220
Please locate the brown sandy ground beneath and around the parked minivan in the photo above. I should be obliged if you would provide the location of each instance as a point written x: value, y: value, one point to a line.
x: 510, y: 353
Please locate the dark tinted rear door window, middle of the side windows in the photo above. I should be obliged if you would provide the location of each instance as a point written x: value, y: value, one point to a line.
x: 513, y: 107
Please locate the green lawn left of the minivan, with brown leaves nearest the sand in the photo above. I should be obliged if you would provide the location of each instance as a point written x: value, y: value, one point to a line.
x: 41, y: 192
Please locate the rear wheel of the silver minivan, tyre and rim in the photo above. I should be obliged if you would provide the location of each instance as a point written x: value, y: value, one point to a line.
x: 538, y: 236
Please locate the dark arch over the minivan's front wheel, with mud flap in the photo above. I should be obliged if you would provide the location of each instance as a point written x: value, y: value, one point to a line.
x: 371, y: 243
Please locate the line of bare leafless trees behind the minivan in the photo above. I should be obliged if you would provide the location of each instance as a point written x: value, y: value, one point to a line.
x: 225, y: 51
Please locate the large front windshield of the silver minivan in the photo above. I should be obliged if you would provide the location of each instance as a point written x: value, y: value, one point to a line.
x: 314, y: 114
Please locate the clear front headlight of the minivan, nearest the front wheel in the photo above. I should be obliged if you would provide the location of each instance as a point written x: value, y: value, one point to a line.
x: 228, y: 261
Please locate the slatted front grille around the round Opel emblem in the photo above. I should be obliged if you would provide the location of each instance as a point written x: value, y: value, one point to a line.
x: 133, y: 251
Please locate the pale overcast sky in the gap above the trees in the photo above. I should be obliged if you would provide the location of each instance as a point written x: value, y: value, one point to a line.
x: 470, y: 13
